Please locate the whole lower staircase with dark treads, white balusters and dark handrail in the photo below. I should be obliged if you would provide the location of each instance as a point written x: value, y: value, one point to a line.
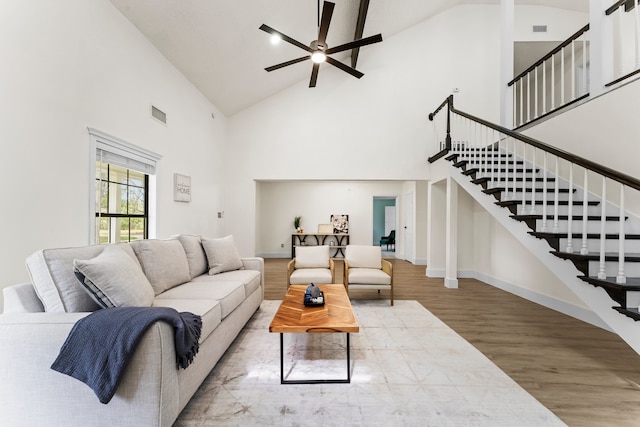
x: 569, y: 212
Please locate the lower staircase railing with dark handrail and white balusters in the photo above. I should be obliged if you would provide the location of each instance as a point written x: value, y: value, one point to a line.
x: 480, y: 139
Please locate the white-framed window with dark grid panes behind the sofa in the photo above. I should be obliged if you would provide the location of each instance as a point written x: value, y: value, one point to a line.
x: 122, y: 190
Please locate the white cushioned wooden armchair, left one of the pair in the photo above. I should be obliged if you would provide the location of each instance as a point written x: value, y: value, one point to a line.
x: 312, y: 264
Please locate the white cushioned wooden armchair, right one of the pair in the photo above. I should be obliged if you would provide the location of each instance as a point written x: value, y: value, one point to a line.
x: 364, y: 268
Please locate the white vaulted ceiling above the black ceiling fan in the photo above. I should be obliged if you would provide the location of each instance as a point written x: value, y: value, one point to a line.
x: 217, y: 45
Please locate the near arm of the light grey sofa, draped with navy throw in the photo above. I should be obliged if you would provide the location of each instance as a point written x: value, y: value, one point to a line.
x: 34, y: 394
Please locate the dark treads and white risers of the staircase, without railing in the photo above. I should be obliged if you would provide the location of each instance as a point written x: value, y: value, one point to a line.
x: 480, y: 164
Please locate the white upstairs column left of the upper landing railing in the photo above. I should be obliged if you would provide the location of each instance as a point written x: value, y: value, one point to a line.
x: 506, y: 62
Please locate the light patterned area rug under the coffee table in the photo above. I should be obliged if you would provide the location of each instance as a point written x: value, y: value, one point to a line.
x: 408, y: 369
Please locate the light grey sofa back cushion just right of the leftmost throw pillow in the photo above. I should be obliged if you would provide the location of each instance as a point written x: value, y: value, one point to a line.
x: 164, y: 262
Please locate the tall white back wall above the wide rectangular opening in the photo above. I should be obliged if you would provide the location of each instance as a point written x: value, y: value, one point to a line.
x: 375, y: 128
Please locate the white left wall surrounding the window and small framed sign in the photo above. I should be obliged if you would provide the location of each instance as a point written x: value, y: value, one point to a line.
x: 73, y: 64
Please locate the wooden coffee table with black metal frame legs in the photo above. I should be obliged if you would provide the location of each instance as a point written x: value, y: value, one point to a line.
x: 336, y: 315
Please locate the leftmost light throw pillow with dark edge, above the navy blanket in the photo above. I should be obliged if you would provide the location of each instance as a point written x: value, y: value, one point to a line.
x: 113, y: 279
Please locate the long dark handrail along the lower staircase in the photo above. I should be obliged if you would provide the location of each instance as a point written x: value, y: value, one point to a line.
x: 580, y: 161
